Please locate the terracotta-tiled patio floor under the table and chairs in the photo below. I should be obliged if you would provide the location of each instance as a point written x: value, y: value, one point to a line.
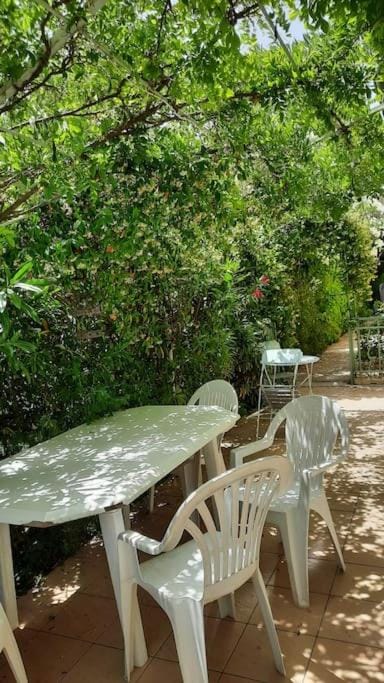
x: 70, y: 630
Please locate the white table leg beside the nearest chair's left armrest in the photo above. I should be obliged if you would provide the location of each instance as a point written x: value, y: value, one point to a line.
x: 112, y: 524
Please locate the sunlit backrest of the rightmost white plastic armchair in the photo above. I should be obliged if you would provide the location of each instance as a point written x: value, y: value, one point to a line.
x: 312, y: 425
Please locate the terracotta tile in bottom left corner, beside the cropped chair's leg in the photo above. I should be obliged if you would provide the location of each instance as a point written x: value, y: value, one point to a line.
x: 46, y: 657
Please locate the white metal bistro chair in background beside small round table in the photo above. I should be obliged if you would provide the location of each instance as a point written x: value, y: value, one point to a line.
x: 278, y: 378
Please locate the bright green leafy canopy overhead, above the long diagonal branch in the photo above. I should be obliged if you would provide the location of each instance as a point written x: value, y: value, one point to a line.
x: 79, y: 76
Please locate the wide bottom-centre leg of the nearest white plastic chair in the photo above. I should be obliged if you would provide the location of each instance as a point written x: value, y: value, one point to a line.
x: 188, y: 627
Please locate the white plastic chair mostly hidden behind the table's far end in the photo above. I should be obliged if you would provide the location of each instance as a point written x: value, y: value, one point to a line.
x: 217, y: 392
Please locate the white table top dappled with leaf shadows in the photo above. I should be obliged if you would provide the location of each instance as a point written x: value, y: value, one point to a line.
x: 108, y: 462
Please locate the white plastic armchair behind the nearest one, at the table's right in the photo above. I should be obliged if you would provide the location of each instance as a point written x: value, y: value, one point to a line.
x: 312, y: 425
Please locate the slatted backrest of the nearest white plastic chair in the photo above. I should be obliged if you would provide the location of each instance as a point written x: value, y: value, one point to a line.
x: 230, y: 533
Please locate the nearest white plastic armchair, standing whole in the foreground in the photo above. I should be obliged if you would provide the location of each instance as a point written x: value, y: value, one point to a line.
x: 222, y: 556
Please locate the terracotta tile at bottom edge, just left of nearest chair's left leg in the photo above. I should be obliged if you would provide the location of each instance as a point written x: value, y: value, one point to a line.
x: 101, y: 665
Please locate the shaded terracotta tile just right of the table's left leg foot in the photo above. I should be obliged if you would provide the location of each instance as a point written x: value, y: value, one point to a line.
x: 82, y: 616
